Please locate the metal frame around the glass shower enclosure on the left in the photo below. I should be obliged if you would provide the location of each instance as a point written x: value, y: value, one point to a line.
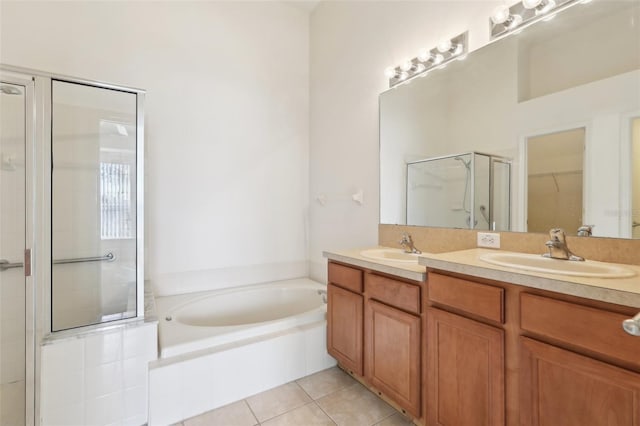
x: 38, y: 221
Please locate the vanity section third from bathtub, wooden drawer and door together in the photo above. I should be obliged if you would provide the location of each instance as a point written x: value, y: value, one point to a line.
x: 465, y: 357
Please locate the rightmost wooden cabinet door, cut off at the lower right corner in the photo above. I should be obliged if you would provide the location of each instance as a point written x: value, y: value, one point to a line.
x: 558, y: 387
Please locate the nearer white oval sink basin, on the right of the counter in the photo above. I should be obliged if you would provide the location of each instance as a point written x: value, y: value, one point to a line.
x: 537, y: 263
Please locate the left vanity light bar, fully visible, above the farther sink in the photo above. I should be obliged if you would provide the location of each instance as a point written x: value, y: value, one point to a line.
x: 445, y: 51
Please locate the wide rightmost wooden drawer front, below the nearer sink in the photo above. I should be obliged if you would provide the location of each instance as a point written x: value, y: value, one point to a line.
x: 589, y: 328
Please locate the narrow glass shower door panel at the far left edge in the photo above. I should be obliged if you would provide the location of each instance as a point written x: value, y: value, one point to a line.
x: 13, y: 107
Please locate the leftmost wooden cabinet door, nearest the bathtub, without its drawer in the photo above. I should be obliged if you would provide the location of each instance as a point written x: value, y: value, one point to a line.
x: 344, y: 327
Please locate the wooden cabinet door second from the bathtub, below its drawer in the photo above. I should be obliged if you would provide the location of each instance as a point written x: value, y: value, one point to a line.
x: 392, y: 355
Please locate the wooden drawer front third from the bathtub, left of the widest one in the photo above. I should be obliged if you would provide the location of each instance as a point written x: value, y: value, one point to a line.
x: 477, y: 299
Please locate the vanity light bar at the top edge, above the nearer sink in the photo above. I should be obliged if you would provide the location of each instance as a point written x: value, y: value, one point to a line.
x: 506, y: 19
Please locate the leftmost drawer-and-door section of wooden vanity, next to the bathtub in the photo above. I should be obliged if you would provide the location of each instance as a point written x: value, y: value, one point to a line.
x: 345, y: 317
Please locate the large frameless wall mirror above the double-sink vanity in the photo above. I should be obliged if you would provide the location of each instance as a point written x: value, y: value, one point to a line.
x: 555, y: 109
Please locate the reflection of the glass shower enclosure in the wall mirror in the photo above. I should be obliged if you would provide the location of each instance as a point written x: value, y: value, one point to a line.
x: 470, y: 190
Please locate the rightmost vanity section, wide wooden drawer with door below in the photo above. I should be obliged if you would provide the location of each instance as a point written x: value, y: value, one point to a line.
x: 570, y: 365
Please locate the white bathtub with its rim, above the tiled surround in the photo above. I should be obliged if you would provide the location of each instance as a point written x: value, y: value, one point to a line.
x: 203, y: 321
